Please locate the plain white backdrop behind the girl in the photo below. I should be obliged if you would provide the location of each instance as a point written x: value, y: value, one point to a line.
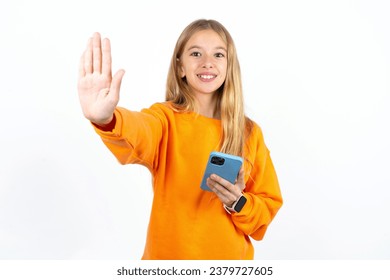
x: 316, y: 79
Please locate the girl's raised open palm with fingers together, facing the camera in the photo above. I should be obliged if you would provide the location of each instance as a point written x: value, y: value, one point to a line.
x: 98, y: 90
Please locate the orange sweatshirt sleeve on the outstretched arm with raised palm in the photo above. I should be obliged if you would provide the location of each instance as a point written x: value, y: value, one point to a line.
x: 135, y: 137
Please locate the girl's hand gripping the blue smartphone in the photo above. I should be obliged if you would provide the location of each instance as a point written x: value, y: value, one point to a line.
x: 226, y: 191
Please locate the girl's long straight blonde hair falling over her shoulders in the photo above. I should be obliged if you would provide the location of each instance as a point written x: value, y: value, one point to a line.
x: 235, y: 125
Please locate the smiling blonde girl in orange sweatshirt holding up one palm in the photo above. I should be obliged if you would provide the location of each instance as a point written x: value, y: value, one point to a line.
x: 203, y: 112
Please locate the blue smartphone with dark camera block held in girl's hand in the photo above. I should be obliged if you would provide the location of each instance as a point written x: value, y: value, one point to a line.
x: 224, y: 165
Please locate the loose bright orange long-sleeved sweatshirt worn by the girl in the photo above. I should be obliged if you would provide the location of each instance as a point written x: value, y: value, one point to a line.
x: 187, y: 222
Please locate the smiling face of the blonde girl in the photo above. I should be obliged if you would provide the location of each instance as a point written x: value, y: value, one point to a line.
x: 204, y: 62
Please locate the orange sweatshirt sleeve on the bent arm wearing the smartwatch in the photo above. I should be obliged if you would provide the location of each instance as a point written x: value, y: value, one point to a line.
x: 262, y: 191
